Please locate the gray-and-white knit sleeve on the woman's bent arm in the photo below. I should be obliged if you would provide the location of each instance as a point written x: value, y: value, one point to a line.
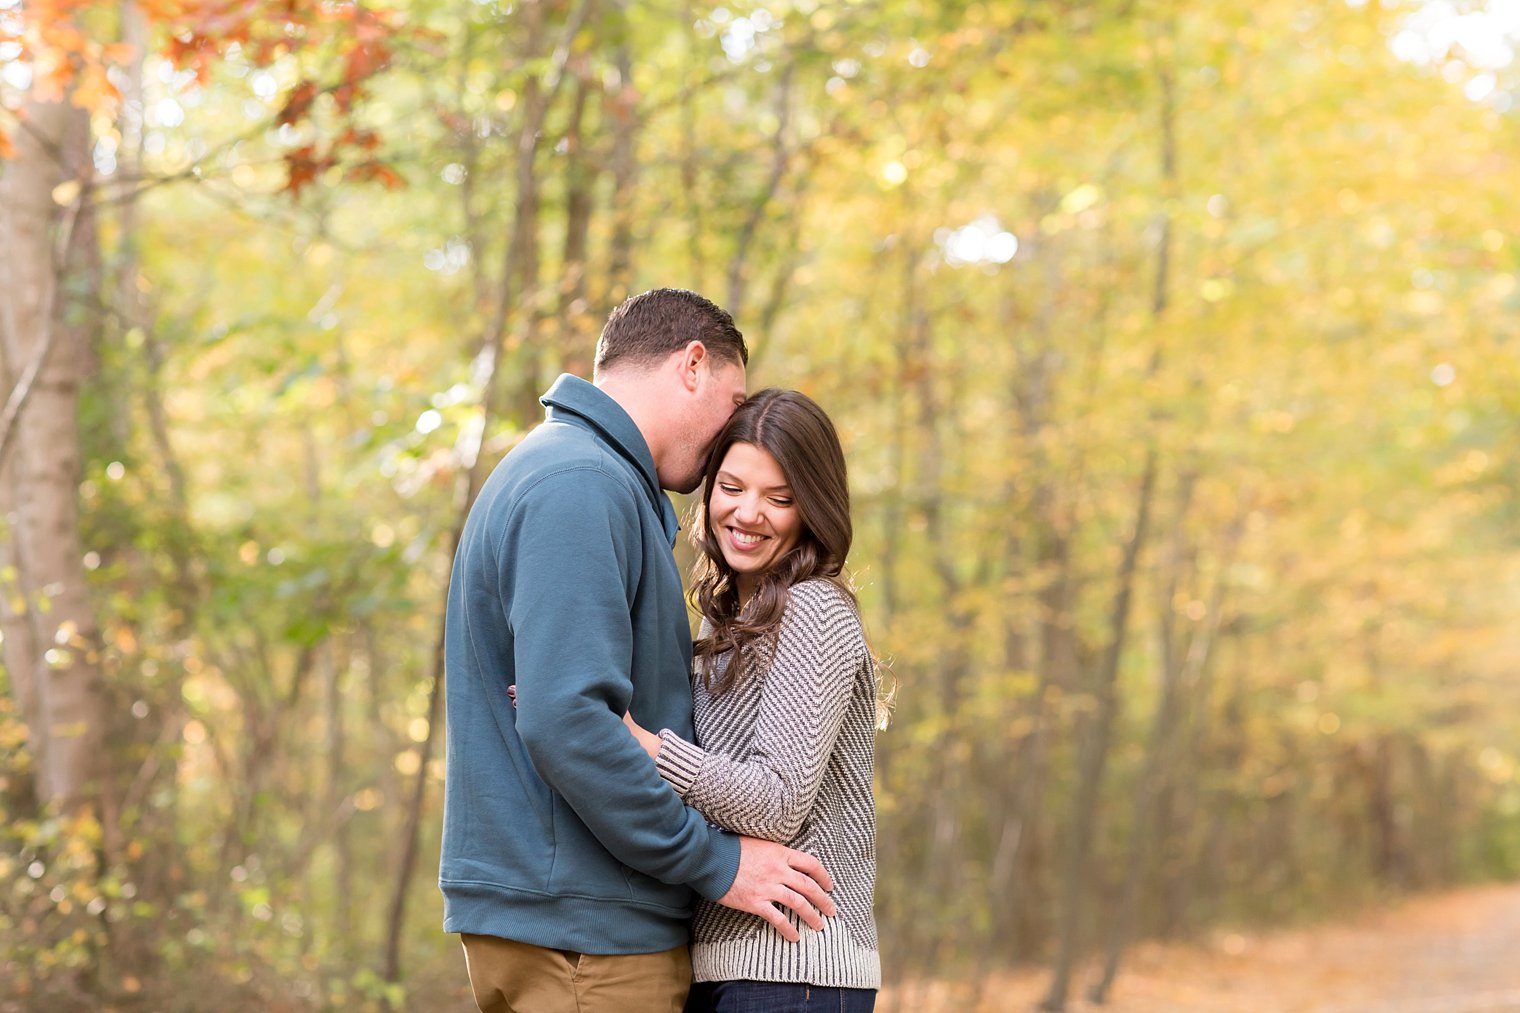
x: 803, y: 703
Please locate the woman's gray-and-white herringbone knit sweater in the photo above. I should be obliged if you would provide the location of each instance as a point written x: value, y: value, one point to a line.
x: 787, y: 755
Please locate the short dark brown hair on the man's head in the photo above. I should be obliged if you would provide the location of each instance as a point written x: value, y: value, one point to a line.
x: 650, y: 326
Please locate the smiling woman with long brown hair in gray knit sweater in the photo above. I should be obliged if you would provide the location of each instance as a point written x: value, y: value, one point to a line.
x: 785, y: 707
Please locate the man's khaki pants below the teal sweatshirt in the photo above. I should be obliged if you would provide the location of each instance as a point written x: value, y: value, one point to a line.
x: 511, y: 977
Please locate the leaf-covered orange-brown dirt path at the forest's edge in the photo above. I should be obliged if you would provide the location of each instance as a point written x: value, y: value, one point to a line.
x: 1455, y: 953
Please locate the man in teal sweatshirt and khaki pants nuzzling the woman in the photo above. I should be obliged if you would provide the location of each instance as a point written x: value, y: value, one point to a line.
x: 568, y: 863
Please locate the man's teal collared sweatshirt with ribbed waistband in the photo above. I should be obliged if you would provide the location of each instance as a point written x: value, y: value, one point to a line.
x: 559, y: 830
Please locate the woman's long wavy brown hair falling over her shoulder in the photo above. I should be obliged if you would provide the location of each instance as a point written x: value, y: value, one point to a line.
x: 797, y: 433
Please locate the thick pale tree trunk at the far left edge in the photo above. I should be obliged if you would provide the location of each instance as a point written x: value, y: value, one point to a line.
x: 57, y: 670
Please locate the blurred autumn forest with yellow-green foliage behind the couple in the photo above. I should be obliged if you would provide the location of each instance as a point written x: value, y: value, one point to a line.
x: 1177, y: 351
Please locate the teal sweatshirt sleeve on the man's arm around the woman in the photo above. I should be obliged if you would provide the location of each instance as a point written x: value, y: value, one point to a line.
x: 568, y: 556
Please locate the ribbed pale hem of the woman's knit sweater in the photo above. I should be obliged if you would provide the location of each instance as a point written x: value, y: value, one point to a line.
x: 831, y: 959
